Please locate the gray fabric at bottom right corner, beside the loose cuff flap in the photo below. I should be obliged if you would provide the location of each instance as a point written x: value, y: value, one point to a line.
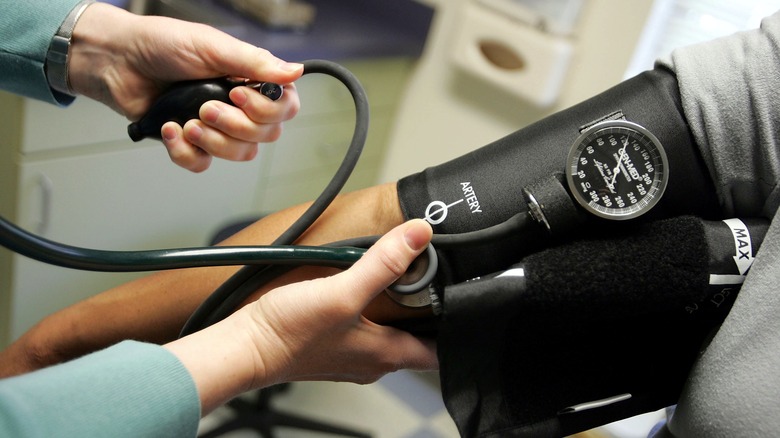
x: 733, y: 389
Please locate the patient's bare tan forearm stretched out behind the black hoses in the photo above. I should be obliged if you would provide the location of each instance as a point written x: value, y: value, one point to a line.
x: 154, y: 308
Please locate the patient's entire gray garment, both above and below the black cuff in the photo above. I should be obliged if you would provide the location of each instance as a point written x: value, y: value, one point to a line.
x: 730, y: 90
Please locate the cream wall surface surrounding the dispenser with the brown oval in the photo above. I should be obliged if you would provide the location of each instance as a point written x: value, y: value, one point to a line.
x: 445, y: 113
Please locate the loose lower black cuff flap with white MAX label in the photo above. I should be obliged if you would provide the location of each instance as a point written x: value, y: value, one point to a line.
x: 588, y: 332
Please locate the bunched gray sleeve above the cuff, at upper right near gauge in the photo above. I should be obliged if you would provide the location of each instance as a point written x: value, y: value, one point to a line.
x: 730, y: 90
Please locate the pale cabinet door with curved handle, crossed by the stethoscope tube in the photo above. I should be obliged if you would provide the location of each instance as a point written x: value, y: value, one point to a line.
x: 126, y: 200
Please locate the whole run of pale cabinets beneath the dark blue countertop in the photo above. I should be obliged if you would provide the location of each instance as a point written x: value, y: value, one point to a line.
x: 74, y: 176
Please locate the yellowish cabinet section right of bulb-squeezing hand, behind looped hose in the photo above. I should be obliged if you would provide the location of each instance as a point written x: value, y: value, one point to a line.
x: 313, y: 144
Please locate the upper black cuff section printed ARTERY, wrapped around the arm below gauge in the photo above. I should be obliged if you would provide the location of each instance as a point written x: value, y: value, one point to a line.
x: 484, y: 187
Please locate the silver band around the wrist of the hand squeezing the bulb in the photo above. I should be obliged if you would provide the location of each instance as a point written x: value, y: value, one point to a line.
x: 59, y: 49
